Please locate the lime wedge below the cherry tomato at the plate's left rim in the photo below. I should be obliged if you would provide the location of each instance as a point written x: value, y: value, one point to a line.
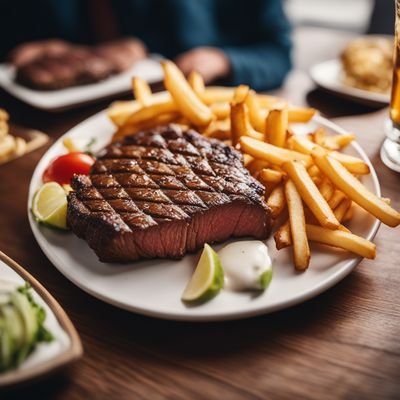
x: 50, y: 205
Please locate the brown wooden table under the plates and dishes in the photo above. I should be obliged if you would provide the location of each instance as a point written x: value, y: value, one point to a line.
x: 342, y: 344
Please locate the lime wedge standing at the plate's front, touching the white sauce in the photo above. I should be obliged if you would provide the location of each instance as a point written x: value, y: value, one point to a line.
x: 208, y: 278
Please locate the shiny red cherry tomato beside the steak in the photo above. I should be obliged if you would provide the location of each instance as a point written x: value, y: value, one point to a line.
x: 64, y: 167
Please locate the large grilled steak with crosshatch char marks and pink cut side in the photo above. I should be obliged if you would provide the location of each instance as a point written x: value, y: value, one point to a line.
x: 163, y: 193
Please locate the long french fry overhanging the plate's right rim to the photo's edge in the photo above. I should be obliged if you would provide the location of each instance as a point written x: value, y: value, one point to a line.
x: 354, y: 189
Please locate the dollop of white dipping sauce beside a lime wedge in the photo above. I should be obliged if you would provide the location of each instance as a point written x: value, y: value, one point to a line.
x: 244, y: 263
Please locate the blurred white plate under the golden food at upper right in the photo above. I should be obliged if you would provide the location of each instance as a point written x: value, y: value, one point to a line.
x: 326, y: 75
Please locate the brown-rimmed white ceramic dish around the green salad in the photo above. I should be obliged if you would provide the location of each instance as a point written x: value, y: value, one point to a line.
x: 47, y: 357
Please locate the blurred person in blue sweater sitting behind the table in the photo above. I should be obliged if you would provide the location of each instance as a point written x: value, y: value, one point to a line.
x: 231, y: 41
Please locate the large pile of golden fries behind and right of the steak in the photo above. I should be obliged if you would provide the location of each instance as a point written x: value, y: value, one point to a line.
x: 306, y: 175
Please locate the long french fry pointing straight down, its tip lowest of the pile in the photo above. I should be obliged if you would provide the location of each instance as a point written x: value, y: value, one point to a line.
x: 301, y: 249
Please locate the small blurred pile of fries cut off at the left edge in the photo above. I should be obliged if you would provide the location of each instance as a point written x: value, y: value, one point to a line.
x: 10, y: 146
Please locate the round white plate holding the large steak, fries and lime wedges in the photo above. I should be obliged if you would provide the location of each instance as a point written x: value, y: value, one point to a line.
x: 154, y: 287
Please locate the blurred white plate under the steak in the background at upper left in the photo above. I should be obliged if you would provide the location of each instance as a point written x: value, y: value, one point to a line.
x: 57, y: 100
